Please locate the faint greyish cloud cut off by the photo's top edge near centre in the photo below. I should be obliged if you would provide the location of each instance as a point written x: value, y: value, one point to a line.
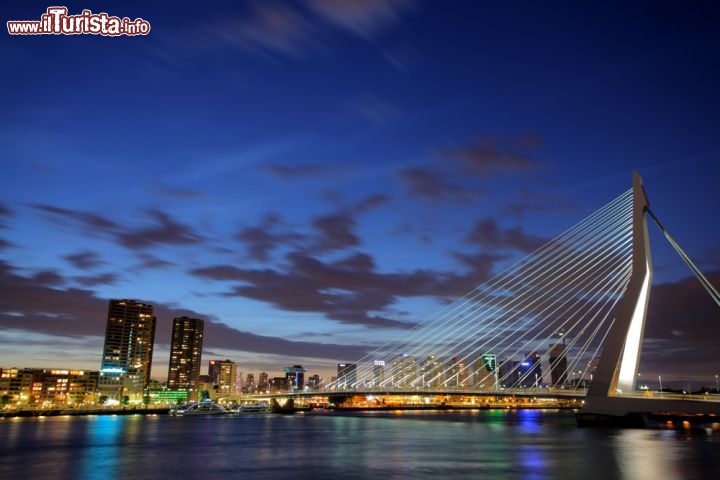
x: 366, y: 18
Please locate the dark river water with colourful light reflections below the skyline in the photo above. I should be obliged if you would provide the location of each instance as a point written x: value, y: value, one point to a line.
x: 523, y: 444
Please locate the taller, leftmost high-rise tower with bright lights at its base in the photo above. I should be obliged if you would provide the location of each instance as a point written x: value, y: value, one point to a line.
x: 127, y: 354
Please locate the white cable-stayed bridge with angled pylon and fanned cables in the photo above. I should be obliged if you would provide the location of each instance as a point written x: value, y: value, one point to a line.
x: 567, y: 318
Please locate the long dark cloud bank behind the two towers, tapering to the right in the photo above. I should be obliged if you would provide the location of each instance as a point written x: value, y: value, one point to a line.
x: 35, y: 305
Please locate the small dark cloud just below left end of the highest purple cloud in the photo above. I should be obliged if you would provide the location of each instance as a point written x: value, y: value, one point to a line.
x: 434, y: 185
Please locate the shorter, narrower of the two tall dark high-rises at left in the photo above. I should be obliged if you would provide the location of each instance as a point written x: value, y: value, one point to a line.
x: 185, y: 355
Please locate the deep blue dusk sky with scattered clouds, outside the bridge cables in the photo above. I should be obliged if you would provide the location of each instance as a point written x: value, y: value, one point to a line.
x: 315, y: 177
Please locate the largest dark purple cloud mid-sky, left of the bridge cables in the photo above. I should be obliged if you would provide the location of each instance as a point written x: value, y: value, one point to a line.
x: 348, y: 290
